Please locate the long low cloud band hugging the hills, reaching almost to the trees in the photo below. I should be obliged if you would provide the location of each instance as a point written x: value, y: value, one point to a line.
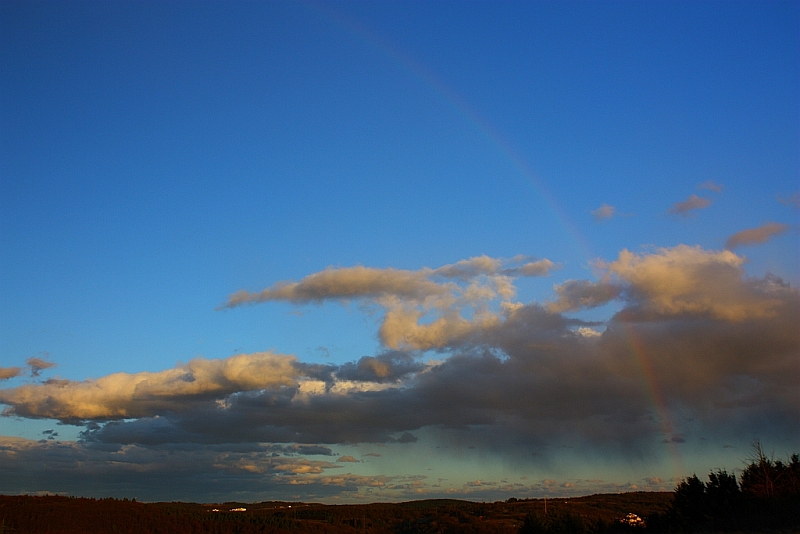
x: 251, y: 473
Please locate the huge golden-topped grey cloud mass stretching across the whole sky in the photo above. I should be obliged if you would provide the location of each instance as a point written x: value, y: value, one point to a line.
x: 710, y: 344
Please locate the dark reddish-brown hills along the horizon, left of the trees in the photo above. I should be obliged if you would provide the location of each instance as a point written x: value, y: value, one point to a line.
x: 72, y: 515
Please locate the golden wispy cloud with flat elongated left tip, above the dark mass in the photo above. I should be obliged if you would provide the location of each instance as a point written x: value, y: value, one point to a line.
x: 424, y: 309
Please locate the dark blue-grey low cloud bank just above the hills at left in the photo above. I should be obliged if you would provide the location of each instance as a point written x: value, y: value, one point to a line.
x: 172, y: 472
